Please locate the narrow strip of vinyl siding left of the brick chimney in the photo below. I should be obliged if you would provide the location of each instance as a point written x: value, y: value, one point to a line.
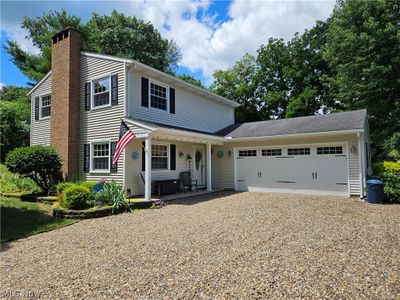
x: 40, y: 129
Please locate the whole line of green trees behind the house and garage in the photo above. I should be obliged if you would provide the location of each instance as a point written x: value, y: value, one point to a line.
x: 349, y: 61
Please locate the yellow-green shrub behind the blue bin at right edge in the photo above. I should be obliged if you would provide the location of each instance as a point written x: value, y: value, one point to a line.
x: 389, y: 172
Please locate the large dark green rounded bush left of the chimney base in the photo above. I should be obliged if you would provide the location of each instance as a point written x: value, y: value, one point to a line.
x: 40, y: 163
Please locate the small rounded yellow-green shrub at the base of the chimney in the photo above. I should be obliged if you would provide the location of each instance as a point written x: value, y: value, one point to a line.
x: 76, y: 197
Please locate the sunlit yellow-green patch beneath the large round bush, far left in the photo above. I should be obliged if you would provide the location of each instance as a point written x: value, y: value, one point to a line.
x: 13, y: 183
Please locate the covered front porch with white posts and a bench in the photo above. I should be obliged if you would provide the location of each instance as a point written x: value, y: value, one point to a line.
x: 159, y: 155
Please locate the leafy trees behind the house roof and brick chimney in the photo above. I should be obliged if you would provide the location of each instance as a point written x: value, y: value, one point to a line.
x: 116, y: 34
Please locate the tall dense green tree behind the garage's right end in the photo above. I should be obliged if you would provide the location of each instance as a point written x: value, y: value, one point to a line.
x: 363, y: 46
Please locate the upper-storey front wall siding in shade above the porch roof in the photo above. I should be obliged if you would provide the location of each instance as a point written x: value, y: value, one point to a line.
x: 191, y: 111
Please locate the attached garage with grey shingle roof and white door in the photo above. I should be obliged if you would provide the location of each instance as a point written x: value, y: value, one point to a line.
x: 322, y: 154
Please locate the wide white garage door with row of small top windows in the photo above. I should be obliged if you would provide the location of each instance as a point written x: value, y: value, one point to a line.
x: 301, y: 169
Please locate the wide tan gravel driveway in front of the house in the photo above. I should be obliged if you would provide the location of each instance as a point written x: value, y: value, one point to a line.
x: 245, y: 245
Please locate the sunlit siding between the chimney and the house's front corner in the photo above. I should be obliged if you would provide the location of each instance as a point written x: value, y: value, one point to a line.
x: 101, y: 123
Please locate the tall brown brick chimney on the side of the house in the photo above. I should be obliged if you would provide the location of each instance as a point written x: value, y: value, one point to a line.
x: 65, y: 94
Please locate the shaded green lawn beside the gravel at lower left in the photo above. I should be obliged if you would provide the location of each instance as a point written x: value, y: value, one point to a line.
x: 21, y: 219
